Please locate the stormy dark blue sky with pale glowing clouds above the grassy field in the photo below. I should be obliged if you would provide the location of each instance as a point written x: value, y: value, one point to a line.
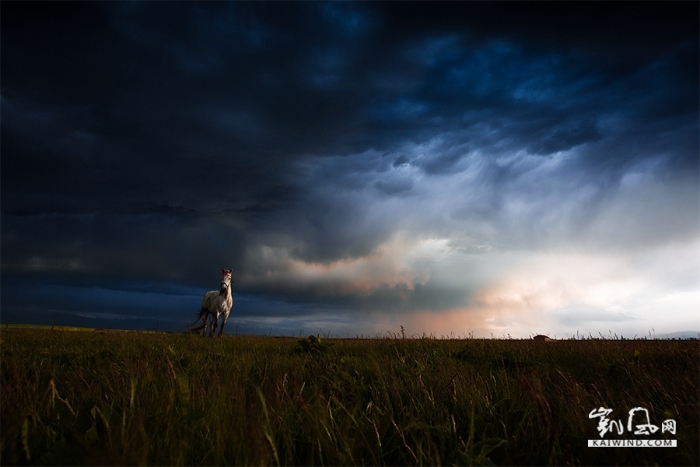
x: 453, y: 168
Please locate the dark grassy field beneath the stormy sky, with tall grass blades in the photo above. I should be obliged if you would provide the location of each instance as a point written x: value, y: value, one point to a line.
x: 73, y: 398
